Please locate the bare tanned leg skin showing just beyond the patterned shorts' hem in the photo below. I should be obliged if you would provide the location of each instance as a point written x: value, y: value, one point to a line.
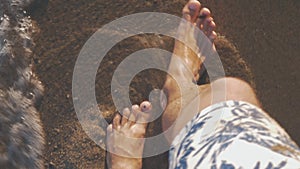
x: 223, y: 89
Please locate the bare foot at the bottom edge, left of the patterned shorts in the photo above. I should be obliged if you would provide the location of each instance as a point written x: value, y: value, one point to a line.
x: 125, y: 137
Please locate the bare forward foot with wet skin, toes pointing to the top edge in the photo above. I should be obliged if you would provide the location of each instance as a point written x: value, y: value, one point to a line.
x: 193, y: 17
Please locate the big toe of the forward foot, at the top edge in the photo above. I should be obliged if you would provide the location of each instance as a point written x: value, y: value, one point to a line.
x: 191, y: 10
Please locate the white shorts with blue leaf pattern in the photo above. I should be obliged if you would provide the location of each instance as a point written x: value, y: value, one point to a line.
x: 233, y: 135
